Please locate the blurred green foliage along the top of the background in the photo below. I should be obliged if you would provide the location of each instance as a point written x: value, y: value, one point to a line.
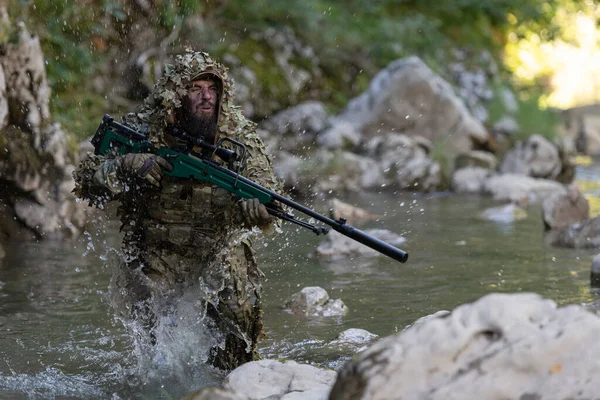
x: 352, y: 39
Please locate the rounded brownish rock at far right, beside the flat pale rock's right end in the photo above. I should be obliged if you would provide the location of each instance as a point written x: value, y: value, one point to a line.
x: 562, y: 209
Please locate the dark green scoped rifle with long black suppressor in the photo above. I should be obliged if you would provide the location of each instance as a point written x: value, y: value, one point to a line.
x: 116, y: 138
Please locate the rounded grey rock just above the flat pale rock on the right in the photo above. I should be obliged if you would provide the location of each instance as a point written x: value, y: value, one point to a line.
x: 536, y: 157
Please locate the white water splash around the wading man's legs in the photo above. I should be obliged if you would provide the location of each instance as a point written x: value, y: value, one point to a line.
x: 173, y: 352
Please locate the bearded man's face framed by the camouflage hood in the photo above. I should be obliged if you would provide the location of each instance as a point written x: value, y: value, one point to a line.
x: 200, y: 112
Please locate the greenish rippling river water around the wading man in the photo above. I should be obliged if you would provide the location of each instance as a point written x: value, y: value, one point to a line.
x: 59, y: 337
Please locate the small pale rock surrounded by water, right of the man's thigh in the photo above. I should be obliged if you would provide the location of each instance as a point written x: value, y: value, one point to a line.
x: 314, y: 301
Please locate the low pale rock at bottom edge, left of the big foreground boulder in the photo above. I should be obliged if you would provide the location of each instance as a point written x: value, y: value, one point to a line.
x: 272, y: 380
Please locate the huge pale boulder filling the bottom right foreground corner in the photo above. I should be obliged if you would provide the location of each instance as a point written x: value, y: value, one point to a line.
x: 503, y: 346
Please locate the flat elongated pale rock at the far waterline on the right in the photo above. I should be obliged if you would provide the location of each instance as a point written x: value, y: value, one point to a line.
x: 521, y: 188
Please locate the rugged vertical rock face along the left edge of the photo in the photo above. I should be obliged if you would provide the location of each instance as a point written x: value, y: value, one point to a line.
x: 36, y: 160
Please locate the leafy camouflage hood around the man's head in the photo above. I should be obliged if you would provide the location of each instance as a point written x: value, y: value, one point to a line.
x: 167, y: 95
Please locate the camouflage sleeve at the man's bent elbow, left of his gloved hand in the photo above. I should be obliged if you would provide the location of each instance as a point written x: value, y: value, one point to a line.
x: 97, y: 179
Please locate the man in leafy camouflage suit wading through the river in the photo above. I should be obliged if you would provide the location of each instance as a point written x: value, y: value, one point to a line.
x: 177, y: 233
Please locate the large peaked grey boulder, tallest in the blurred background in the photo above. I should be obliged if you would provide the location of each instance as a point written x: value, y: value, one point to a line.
x: 408, y: 97
